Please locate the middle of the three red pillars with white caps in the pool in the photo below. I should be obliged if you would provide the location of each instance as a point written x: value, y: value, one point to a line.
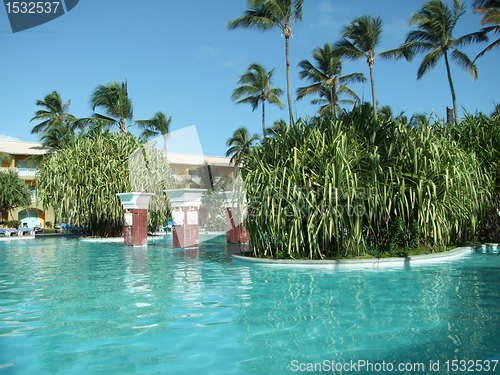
x: 185, y: 209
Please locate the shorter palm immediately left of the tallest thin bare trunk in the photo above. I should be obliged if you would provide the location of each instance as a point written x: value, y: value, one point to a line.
x: 256, y: 87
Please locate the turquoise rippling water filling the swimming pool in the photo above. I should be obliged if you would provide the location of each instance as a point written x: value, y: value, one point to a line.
x: 69, y: 307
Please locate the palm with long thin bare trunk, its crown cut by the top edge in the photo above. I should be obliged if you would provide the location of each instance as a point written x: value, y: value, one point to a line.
x: 269, y: 14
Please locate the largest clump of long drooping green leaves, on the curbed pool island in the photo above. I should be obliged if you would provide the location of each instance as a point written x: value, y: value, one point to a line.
x: 341, y: 187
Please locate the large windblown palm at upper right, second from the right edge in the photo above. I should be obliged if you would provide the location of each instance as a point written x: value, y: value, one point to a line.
x: 435, y: 22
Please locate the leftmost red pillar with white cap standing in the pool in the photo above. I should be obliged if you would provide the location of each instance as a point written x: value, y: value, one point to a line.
x: 135, y: 218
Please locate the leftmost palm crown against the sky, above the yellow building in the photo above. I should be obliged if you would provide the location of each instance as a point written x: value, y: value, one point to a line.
x: 53, y: 112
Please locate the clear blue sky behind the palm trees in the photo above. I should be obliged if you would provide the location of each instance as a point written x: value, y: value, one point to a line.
x: 179, y: 58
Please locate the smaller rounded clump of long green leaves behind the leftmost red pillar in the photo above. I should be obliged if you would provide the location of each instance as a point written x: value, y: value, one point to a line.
x: 80, y: 182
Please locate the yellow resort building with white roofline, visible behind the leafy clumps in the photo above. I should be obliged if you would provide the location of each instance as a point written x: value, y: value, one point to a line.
x: 25, y: 156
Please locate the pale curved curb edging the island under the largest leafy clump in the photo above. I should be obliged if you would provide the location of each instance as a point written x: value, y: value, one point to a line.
x: 366, y: 263
